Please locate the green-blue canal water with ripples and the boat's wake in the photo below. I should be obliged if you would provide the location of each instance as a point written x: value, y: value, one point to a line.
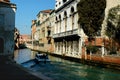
x: 60, y: 69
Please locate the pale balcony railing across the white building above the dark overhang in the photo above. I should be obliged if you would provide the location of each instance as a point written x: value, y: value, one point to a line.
x: 67, y: 33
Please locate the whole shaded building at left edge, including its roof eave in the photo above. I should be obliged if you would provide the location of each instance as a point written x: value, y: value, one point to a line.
x: 7, y: 26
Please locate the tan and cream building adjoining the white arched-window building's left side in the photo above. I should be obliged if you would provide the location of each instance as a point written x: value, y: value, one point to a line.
x: 42, y: 34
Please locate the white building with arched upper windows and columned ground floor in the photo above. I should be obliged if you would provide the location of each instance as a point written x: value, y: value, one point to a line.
x: 67, y: 33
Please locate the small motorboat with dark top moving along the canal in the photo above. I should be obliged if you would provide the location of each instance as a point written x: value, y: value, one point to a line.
x: 41, y: 57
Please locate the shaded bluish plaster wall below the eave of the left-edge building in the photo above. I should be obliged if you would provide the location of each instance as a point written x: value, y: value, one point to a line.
x: 7, y: 29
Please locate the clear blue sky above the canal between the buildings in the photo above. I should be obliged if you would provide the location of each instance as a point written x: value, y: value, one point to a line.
x: 27, y: 11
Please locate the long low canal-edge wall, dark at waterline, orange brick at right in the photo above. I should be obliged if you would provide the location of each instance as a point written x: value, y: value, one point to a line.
x: 110, y: 61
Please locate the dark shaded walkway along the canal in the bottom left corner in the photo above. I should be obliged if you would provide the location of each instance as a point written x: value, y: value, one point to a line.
x: 9, y: 70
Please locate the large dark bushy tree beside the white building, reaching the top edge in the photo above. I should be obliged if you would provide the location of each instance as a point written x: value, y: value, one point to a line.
x: 91, y: 15
